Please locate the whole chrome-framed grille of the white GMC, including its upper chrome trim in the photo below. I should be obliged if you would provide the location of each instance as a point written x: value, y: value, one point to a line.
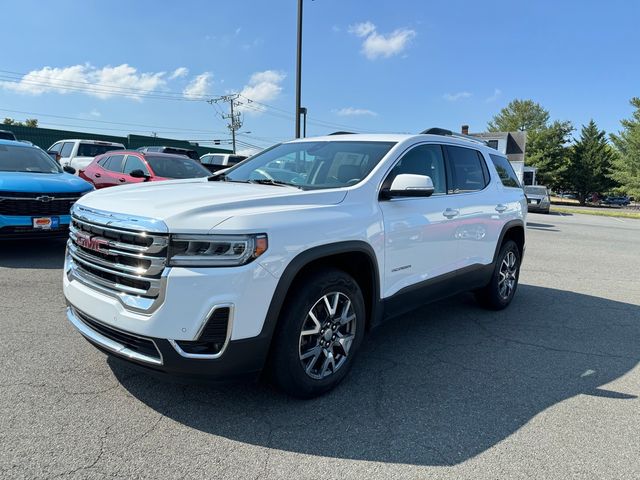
x: 130, y: 265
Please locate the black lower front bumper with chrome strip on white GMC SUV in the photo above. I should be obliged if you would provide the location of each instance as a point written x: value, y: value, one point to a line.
x: 241, y: 358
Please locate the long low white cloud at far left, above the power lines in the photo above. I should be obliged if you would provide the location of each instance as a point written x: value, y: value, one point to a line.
x: 103, y: 83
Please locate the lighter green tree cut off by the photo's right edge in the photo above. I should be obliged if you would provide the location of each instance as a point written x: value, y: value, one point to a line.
x: 626, y: 164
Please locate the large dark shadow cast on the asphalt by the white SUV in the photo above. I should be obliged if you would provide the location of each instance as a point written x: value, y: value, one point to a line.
x: 436, y: 387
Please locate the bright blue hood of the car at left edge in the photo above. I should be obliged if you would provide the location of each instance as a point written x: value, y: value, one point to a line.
x: 42, y: 183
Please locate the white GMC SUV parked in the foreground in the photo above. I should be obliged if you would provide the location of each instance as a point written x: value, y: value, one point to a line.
x: 287, y: 259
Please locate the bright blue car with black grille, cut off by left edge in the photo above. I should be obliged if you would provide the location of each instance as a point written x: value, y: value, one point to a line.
x: 36, y: 194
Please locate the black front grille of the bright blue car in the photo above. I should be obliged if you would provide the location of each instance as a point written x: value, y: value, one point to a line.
x: 36, y: 204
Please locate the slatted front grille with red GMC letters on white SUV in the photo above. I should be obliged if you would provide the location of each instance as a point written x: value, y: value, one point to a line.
x: 122, y: 261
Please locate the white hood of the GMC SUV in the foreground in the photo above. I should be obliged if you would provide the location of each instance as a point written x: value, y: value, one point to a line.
x: 195, y: 205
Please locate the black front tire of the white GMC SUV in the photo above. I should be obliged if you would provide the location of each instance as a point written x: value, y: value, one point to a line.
x: 287, y: 367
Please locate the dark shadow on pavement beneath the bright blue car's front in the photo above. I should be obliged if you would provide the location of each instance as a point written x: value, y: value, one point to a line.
x: 44, y: 253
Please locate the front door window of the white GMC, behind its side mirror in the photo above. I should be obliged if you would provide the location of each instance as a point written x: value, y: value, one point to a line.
x: 422, y: 160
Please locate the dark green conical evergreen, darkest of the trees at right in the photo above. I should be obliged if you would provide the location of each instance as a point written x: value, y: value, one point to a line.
x: 589, y: 164
